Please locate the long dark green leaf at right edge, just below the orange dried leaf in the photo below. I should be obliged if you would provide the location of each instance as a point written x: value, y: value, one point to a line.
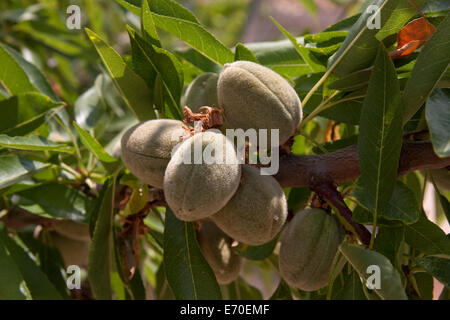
x: 431, y: 64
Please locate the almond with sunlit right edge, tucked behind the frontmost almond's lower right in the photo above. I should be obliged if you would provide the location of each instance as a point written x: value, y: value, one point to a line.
x: 257, y: 210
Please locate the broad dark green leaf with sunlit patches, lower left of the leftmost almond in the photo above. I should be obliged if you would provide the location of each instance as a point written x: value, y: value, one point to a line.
x: 55, y: 200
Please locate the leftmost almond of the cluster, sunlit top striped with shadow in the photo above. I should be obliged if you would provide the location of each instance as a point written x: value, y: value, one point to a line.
x: 146, y: 148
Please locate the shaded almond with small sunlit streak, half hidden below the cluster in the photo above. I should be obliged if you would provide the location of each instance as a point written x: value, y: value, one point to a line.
x: 216, y: 248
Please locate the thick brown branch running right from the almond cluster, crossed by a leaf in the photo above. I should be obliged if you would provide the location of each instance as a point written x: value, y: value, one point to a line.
x: 342, y: 165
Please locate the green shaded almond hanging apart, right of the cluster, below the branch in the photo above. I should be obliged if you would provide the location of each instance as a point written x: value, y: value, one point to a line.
x: 308, y: 246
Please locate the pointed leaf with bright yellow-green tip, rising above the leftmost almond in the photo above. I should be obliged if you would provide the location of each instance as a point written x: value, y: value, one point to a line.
x: 132, y: 87
